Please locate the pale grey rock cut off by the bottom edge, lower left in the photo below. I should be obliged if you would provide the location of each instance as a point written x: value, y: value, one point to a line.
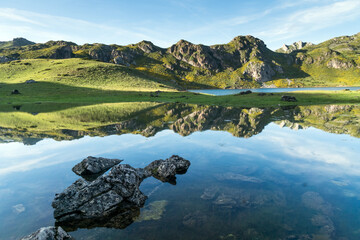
x: 49, y: 233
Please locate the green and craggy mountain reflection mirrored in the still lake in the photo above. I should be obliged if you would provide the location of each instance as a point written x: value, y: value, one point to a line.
x: 149, y: 118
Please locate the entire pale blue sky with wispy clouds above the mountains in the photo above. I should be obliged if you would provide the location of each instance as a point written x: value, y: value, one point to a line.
x: 165, y: 22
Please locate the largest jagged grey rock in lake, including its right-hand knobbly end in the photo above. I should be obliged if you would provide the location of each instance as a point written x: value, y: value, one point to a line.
x: 112, y: 200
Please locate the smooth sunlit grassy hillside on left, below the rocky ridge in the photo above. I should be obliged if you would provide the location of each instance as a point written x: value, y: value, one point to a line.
x: 80, y: 73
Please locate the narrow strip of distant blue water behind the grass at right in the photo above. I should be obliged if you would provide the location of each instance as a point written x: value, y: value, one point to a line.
x: 220, y: 92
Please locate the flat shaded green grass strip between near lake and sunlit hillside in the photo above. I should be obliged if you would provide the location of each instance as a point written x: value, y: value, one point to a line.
x: 50, y: 93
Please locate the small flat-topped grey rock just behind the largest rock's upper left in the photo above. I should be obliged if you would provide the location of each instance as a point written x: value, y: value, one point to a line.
x: 94, y: 166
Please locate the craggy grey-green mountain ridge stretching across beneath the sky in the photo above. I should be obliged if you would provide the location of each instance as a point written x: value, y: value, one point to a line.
x: 244, y: 62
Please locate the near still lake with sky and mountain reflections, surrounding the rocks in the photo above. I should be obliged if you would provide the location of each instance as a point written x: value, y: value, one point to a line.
x: 255, y: 173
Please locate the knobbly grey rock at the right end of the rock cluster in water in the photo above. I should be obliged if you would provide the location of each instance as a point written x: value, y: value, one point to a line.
x: 165, y: 170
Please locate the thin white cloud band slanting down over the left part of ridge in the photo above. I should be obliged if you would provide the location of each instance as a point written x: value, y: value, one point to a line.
x: 42, y: 27
